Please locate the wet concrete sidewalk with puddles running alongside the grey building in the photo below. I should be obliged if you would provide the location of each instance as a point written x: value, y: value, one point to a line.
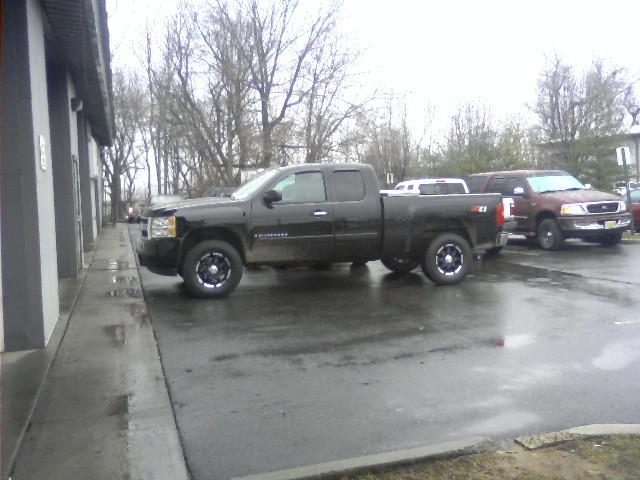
x: 93, y: 404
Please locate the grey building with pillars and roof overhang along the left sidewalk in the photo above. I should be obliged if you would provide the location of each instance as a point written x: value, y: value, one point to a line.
x: 56, y: 113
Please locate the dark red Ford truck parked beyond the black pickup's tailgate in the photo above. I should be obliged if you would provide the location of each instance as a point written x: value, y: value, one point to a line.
x: 552, y: 205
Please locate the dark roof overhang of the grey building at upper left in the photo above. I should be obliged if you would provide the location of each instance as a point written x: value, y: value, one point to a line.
x: 81, y: 36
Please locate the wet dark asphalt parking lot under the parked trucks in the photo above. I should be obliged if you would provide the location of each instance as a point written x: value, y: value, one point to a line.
x: 302, y: 366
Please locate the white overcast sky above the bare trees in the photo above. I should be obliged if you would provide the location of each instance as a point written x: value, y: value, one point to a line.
x: 447, y: 52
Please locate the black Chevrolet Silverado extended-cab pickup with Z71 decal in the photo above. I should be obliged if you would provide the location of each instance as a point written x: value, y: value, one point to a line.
x: 317, y: 213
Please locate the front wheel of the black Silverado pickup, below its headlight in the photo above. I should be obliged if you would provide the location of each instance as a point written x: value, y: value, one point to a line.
x: 212, y: 269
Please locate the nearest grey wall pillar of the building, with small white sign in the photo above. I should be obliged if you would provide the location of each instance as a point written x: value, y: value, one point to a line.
x: 29, y: 266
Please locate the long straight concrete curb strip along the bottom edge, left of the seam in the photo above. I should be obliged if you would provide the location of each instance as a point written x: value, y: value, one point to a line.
x: 357, y: 465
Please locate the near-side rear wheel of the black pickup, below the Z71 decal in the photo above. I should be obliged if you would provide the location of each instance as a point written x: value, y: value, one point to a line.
x: 447, y: 259
